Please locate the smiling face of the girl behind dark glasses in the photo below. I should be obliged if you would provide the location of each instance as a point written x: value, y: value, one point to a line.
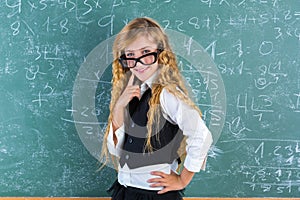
x: 140, y: 47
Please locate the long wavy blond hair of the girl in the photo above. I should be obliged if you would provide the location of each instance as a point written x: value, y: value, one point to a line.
x: 169, y: 77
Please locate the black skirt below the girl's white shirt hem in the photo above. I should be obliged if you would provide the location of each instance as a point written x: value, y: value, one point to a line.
x: 119, y: 192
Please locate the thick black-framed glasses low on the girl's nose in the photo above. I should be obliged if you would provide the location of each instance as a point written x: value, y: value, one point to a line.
x: 147, y: 59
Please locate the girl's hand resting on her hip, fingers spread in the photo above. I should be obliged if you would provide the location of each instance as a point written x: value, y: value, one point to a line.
x: 170, y: 182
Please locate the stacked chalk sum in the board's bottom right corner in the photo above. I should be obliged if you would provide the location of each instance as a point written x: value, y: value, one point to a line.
x: 279, y: 176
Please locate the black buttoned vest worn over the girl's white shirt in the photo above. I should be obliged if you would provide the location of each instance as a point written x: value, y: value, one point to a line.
x: 165, y: 144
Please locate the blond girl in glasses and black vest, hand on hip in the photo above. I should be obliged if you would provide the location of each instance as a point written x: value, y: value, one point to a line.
x: 153, y: 125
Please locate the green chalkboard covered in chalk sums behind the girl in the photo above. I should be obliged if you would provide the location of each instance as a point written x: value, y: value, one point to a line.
x: 240, y: 59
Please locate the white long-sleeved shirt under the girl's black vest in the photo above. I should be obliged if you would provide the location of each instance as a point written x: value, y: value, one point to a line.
x: 199, y: 140
